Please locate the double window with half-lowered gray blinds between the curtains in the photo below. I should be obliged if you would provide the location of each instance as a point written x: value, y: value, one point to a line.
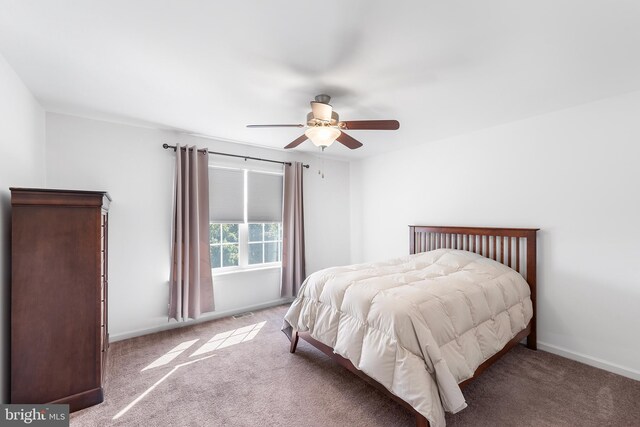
x: 245, y: 225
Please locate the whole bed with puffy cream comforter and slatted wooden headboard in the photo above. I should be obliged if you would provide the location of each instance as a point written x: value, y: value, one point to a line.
x: 420, y: 327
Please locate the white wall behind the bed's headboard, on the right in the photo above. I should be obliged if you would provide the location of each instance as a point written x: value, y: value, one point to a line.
x: 573, y: 173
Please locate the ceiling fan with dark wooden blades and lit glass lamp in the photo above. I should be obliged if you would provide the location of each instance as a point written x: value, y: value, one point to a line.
x: 324, y: 126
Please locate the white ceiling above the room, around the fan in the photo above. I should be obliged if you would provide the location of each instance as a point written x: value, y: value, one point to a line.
x: 210, y: 67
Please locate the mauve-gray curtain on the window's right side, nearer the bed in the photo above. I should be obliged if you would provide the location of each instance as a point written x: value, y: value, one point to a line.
x: 292, y: 232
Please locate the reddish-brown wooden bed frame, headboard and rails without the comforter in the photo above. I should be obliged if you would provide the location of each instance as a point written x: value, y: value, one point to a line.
x: 508, y: 246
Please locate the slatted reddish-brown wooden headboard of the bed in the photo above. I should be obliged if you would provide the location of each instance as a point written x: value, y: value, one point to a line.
x: 506, y: 245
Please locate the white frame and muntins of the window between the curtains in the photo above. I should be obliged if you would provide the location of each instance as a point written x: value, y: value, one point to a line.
x: 243, y: 233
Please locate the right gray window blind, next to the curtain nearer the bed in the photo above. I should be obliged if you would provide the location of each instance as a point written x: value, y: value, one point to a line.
x: 264, y: 197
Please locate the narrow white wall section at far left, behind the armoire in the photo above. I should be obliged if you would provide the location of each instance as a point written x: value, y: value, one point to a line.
x: 21, y: 165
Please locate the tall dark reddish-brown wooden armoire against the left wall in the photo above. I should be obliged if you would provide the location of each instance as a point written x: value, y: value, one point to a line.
x: 59, y: 333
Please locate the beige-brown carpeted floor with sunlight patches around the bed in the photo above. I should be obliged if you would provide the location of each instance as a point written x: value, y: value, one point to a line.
x: 238, y: 372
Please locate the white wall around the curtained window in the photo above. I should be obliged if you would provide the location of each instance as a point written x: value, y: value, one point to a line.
x: 131, y: 165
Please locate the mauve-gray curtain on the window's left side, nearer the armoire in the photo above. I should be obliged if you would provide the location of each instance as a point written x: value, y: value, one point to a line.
x: 191, y: 284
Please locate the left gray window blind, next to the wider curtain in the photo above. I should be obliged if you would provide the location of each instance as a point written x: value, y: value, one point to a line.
x: 226, y: 195
